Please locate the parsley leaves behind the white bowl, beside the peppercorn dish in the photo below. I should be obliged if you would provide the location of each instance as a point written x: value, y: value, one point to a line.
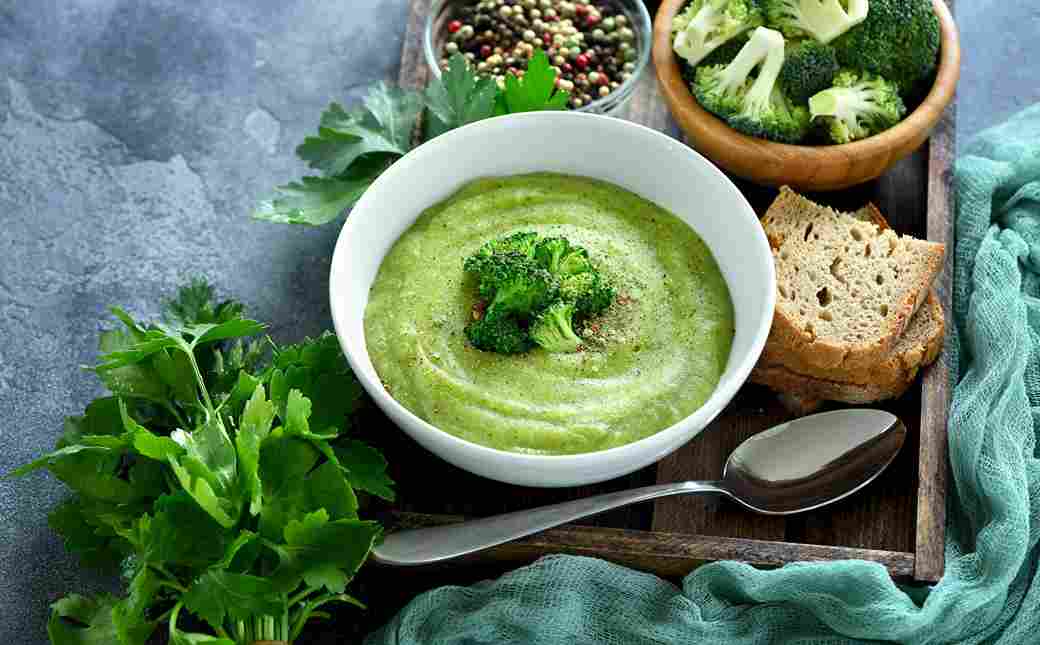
x: 353, y: 149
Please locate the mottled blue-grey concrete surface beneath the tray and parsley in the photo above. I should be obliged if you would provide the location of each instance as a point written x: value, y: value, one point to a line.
x: 136, y: 136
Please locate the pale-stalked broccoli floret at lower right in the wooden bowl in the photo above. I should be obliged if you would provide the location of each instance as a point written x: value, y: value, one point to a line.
x: 857, y: 107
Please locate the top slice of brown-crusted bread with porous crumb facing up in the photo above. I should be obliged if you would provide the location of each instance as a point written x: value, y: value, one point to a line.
x: 848, y: 286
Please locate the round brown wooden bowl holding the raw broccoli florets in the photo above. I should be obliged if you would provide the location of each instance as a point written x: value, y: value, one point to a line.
x: 807, y: 168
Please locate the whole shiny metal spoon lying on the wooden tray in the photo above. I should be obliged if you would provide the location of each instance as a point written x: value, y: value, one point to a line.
x: 794, y: 468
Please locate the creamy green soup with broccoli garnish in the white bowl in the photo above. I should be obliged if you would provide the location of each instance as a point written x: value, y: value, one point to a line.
x: 559, y: 375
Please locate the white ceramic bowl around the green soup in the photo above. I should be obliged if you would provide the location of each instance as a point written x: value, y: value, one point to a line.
x: 629, y: 156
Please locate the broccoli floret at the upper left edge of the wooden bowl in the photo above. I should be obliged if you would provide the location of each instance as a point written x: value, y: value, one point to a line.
x: 706, y: 25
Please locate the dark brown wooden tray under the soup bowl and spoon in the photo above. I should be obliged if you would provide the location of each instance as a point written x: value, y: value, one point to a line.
x: 897, y: 522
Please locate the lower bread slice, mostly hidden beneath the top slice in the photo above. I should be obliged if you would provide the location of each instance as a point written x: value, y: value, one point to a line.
x: 919, y: 347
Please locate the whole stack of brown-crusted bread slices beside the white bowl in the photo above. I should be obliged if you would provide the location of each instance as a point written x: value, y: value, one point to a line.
x: 856, y: 318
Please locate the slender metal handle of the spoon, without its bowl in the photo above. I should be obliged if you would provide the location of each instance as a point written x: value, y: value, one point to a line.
x: 421, y: 547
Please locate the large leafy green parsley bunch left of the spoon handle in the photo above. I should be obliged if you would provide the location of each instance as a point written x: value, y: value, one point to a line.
x: 220, y: 475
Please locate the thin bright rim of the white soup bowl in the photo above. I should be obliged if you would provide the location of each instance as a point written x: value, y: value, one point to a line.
x: 701, y: 417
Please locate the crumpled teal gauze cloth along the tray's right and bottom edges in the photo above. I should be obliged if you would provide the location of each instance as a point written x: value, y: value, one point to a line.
x: 991, y: 592
